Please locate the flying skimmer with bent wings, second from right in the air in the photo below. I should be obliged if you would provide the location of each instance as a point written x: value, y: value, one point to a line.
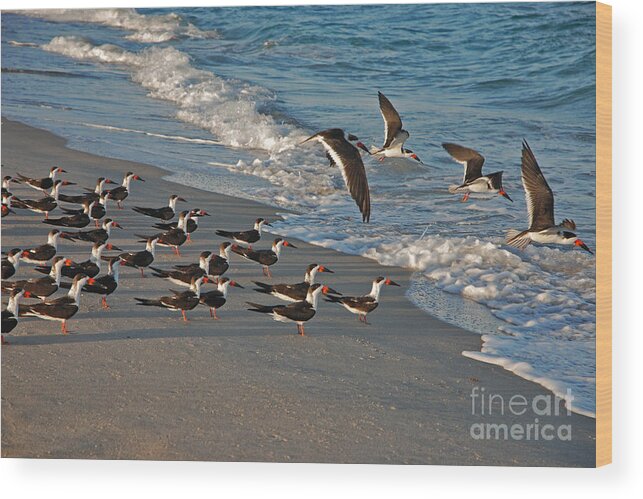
x: 474, y: 180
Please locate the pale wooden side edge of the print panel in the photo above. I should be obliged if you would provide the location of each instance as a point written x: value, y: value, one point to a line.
x: 603, y: 234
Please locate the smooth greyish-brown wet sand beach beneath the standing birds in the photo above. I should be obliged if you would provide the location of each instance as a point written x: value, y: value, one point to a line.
x: 138, y: 383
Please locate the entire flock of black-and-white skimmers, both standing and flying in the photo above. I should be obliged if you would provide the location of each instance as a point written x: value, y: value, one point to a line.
x: 342, y: 150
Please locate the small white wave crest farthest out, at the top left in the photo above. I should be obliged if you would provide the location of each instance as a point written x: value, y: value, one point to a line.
x: 144, y: 28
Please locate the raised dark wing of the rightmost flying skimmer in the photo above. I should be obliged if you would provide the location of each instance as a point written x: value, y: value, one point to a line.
x: 540, y: 198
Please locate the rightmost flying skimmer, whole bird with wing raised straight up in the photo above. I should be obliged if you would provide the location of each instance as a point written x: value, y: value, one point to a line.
x: 540, y: 208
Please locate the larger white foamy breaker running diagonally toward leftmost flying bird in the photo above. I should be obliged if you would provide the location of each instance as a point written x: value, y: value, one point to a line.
x: 226, y: 108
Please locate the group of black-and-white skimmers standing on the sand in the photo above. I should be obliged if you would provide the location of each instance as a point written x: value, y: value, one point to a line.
x: 84, y: 276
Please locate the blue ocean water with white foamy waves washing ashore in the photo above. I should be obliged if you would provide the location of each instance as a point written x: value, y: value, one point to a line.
x: 221, y: 98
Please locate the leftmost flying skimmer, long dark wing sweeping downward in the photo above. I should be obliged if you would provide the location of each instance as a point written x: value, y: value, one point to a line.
x: 347, y: 157
